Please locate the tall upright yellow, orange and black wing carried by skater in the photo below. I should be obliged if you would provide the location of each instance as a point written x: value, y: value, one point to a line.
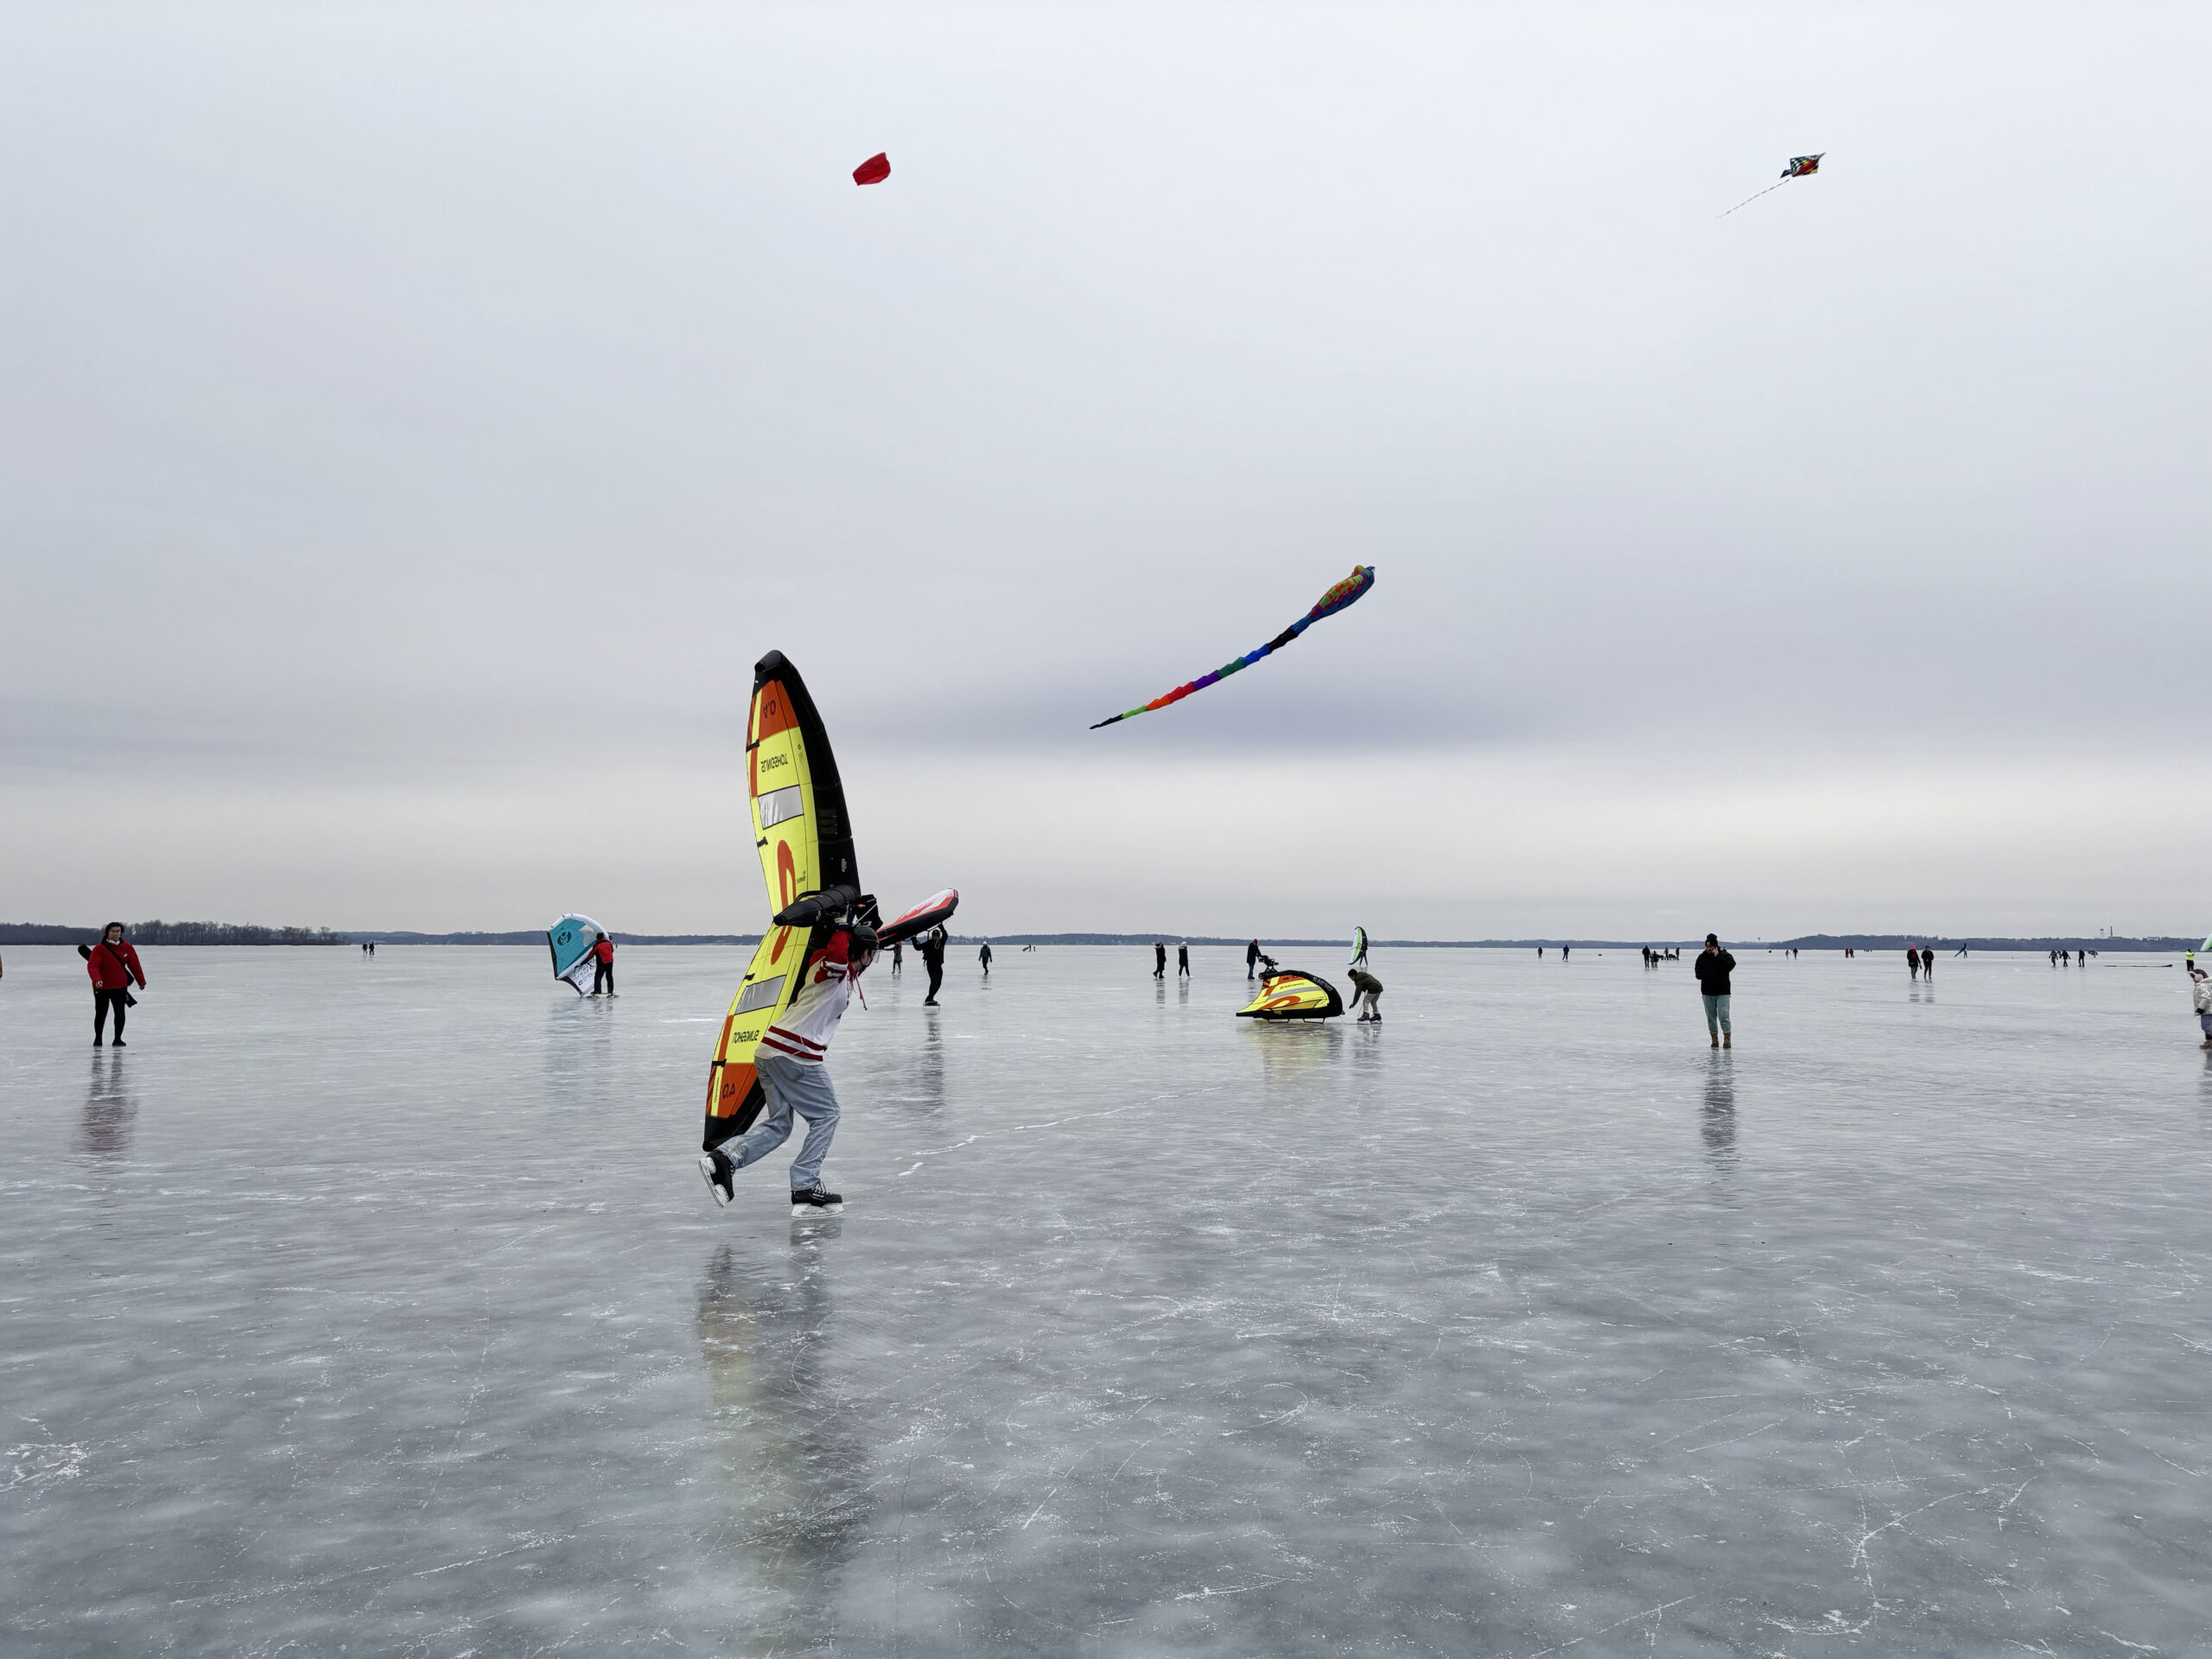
x: 806, y: 848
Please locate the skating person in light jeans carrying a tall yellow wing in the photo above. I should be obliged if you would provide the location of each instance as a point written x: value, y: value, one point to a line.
x: 791, y: 1070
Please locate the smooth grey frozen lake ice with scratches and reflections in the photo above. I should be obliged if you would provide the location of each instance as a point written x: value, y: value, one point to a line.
x: 375, y: 1306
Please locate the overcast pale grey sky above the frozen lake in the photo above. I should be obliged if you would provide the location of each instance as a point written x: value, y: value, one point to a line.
x: 415, y: 421
